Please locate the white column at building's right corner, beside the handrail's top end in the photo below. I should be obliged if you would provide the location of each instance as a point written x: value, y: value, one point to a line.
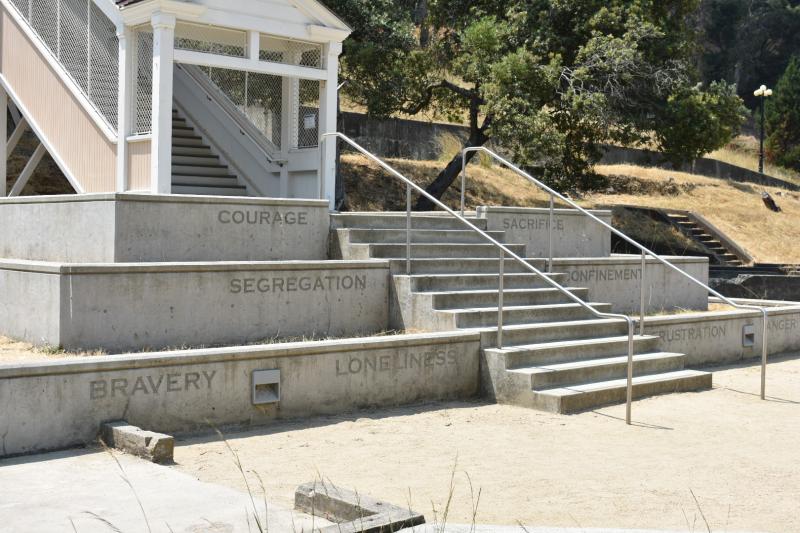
x: 327, y: 123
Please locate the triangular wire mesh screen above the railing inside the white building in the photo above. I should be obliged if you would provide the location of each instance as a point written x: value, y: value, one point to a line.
x: 258, y: 96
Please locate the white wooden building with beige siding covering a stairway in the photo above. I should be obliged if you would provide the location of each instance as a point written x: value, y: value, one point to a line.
x: 172, y: 97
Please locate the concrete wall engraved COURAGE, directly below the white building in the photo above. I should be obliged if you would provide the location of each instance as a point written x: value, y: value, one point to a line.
x: 142, y: 227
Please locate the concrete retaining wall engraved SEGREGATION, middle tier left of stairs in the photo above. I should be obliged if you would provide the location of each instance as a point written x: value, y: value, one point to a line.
x: 120, y: 307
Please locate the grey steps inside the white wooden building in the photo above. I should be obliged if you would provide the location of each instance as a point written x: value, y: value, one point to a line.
x: 196, y: 169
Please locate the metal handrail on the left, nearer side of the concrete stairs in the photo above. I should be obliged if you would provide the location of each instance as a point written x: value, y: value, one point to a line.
x: 504, y: 251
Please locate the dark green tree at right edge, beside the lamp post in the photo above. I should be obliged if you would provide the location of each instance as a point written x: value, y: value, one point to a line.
x: 783, y: 118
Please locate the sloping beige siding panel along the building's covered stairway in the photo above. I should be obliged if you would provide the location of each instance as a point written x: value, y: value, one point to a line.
x: 77, y: 140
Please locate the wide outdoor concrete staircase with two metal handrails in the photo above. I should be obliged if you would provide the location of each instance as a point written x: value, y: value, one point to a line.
x: 556, y: 355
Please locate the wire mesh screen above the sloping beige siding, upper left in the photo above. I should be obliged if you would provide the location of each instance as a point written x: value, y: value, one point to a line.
x: 84, y: 41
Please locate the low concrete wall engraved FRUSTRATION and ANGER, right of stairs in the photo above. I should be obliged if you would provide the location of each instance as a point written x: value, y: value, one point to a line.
x: 720, y: 337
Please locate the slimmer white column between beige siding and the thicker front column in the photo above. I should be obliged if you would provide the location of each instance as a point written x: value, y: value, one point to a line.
x: 126, y: 94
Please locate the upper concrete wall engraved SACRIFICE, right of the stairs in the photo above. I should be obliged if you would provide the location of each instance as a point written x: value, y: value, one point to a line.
x: 574, y: 235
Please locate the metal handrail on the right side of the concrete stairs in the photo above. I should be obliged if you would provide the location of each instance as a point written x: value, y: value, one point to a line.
x: 644, y: 250
